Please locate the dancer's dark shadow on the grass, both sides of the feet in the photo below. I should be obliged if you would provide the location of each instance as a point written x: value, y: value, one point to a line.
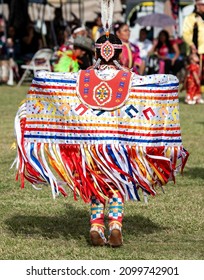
x: 73, y: 224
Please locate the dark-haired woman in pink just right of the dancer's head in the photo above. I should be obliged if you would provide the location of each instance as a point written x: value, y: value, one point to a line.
x: 130, y: 57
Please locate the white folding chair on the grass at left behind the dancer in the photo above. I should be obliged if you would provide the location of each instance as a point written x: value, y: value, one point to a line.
x: 40, y: 61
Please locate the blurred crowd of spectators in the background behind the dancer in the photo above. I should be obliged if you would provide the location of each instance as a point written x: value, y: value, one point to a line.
x: 73, y: 49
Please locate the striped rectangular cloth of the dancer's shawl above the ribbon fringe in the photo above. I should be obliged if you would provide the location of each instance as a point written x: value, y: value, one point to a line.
x: 56, y: 114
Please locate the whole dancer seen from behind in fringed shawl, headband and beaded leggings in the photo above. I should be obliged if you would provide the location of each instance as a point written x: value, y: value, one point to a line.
x: 105, y: 132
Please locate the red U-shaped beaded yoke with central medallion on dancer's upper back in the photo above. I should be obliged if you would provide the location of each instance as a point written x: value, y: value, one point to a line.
x: 109, y: 94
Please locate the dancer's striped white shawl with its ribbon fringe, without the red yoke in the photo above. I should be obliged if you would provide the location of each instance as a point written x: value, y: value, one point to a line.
x: 63, y: 143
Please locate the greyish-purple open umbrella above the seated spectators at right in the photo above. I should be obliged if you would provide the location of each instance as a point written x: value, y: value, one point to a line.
x: 156, y: 20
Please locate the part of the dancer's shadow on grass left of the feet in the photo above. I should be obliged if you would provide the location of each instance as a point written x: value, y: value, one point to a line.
x: 74, y: 222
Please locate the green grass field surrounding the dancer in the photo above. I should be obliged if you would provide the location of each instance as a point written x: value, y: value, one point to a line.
x: 34, y: 226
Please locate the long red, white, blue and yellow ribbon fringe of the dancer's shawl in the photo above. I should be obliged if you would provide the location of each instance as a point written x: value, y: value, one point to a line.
x: 93, y: 169
